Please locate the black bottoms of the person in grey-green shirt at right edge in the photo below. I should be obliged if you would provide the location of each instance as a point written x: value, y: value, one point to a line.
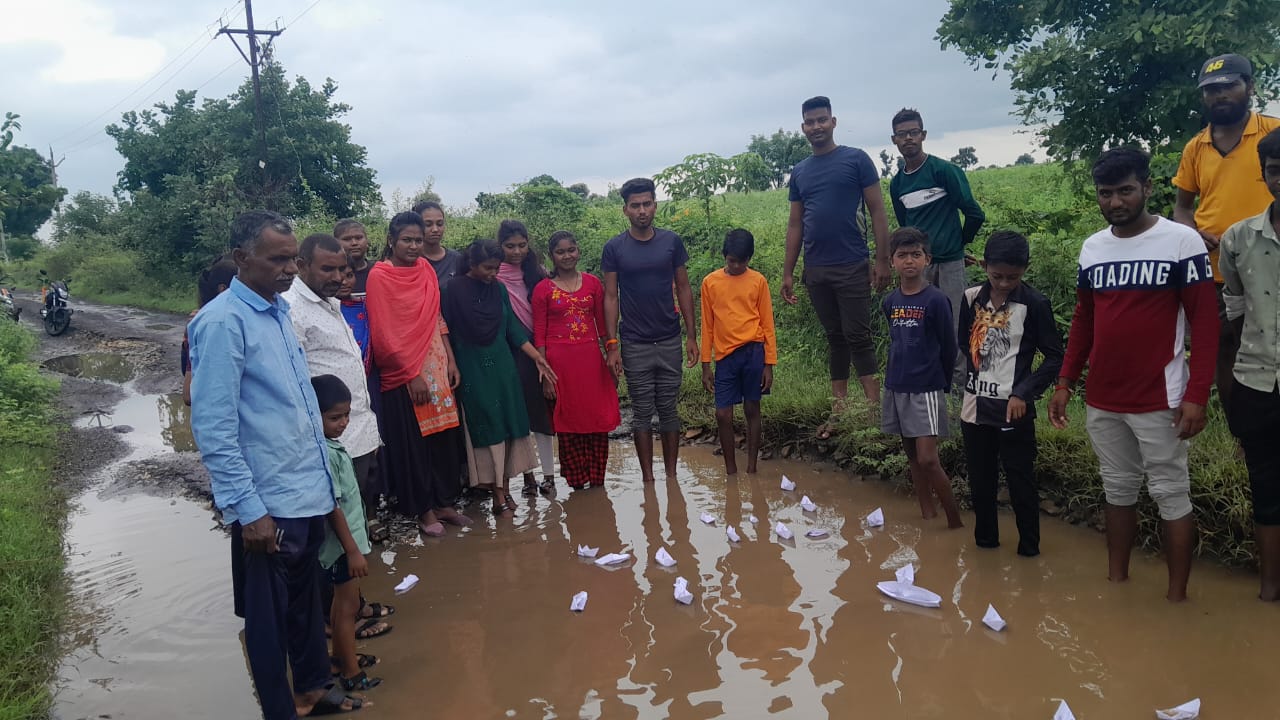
x: 1255, y: 417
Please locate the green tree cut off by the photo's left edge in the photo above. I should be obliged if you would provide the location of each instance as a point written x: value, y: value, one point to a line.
x: 28, y: 190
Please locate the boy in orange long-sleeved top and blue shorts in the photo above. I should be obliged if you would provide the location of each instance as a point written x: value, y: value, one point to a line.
x: 738, y: 327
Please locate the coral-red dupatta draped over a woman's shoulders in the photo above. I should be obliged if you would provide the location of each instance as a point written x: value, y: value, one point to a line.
x: 404, y: 308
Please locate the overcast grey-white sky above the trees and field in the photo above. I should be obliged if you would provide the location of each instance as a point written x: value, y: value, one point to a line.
x: 486, y: 94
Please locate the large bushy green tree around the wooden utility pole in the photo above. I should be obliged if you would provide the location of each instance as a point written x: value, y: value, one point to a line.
x: 190, y: 170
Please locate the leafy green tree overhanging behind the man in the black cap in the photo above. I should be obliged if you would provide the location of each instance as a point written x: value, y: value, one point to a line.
x: 1096, y: 74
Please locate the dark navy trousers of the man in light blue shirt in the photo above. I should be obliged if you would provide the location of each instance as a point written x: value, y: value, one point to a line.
x: 284, y: 619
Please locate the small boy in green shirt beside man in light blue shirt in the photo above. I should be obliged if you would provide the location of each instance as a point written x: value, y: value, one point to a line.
x: 346, y: 543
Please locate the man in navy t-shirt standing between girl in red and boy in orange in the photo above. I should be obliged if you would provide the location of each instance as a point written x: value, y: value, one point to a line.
x: 641, y: 268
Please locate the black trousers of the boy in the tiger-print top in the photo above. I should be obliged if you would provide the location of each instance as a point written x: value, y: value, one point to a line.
x: 988, y: 449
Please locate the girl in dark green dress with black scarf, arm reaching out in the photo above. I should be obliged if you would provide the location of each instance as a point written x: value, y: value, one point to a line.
x: 484, y: 334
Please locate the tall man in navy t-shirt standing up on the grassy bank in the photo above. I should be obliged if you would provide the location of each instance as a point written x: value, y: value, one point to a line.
x: 828, y: 192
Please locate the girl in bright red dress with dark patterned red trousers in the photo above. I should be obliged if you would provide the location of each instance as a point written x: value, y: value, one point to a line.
x: 569, y: 331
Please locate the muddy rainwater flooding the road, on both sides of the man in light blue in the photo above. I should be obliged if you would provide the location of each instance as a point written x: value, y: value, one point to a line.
x: 778, y: 628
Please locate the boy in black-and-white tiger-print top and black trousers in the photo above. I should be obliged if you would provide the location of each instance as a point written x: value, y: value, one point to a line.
x: 1007, y: 323
